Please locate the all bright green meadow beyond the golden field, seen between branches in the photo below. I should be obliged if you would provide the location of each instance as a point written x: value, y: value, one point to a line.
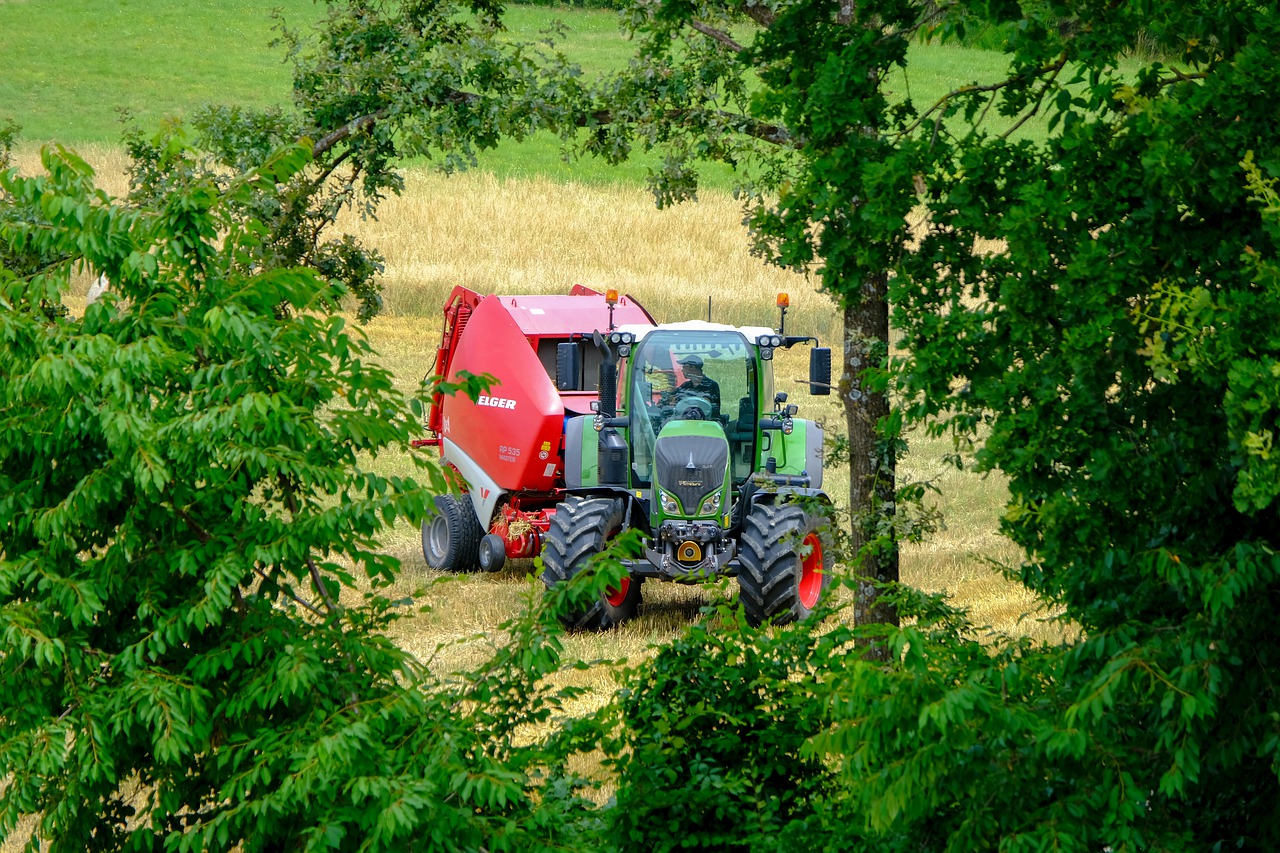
x: 68, y: 75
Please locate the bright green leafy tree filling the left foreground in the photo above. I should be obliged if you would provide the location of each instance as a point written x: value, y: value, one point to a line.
x: 193, y: 599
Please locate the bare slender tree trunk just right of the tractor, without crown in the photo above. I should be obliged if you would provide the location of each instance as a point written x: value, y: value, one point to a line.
x: 872, y: 459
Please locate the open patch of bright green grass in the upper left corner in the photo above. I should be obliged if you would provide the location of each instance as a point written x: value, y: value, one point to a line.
x: 67, y: 70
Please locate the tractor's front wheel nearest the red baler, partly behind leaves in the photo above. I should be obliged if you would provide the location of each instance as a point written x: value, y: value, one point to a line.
x: 580, y: 531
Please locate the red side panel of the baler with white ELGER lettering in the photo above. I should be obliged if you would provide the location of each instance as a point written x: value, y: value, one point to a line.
x: 515, y: 431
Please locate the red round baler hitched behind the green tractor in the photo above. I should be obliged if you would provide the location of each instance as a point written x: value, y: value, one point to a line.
x: 508, y: 448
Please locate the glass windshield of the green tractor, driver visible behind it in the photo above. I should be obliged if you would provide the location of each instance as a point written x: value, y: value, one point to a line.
x: 693, y: 376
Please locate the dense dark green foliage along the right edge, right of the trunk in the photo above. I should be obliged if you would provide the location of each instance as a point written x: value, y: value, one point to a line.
x: 1114, y: 355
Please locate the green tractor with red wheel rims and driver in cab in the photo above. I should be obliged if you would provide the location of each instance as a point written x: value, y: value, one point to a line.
x: 693, y: 446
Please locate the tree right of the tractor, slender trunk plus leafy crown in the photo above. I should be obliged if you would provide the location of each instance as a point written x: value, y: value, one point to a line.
x: 801, y: 110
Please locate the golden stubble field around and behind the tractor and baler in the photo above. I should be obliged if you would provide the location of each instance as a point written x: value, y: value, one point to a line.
x: 540, y: 238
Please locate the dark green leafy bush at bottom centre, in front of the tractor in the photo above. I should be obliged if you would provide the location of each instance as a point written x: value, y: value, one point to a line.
x: 711, y: 737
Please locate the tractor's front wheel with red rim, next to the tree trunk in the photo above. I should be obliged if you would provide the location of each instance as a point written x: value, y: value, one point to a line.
x: 787, y: 558
